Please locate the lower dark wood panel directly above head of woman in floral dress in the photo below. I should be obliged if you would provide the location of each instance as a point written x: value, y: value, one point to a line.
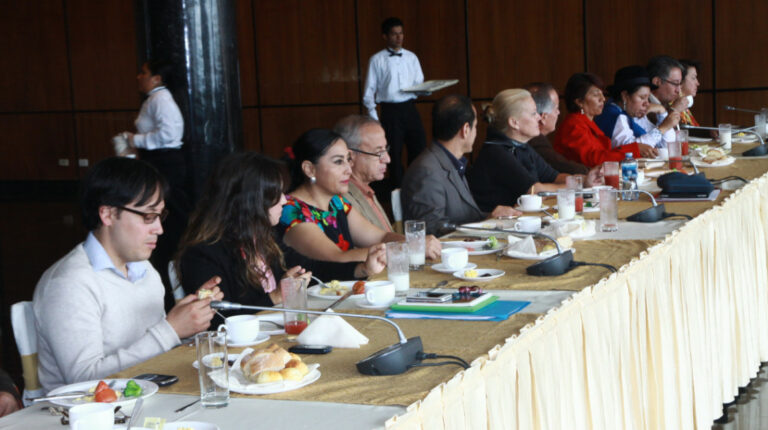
x: 282, y: 126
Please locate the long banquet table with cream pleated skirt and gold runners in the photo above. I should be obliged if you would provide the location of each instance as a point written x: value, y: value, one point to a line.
x: 663, y: 343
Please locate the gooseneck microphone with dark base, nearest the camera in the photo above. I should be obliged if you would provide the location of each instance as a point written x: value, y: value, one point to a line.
x: 392, y: 360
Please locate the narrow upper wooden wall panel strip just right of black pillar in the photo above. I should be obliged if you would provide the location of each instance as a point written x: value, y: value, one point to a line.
x: 245, y: 46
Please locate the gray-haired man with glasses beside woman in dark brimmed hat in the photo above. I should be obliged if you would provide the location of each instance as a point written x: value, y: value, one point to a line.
x: 666, y: 74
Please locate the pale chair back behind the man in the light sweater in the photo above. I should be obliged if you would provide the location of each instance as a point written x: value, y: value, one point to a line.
x: 25, y: 333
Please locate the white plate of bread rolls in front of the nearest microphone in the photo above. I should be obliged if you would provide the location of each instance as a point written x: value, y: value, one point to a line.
x: 268, y: 370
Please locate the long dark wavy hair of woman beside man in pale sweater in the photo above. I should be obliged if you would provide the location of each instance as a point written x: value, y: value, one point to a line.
x: 234, y: 208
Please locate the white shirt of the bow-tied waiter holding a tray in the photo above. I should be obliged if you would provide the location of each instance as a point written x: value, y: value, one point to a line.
x: 387, y: 75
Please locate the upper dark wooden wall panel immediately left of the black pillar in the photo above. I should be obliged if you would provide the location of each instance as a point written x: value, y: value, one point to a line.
x: 103, y: 53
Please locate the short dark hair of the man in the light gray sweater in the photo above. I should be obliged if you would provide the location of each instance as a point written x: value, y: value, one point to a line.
x: 118, y: 181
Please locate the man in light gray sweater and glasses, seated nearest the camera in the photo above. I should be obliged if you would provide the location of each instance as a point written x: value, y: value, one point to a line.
x: 100, y: 309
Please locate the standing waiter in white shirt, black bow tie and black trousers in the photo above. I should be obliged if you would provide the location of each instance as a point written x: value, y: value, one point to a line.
x: 389, y: 71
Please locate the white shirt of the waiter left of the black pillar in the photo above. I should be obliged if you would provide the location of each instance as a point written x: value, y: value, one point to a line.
x: 159, y: 124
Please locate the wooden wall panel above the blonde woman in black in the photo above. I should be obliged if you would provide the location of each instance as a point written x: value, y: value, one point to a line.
x: 514, y: 42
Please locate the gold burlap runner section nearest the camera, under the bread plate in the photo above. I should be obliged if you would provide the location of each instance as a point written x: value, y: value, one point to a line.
x: 340, y: 382
